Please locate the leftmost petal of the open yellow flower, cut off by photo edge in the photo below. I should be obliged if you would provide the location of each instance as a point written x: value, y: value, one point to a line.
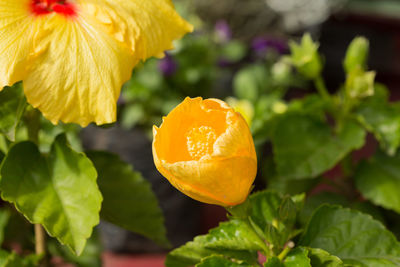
x: 16, y: 35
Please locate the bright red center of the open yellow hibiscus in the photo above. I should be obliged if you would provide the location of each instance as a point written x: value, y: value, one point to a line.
x: 43, y: 7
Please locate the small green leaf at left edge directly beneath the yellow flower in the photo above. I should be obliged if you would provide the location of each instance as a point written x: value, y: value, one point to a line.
x: 12, y: 107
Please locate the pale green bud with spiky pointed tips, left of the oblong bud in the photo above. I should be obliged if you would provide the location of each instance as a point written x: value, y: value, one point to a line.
x: 305, y: 57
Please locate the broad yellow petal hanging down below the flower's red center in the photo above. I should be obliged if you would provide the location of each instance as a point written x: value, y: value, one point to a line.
x: 77, y: 71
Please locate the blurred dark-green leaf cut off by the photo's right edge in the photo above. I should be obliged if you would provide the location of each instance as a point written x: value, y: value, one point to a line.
x: 378, y: 179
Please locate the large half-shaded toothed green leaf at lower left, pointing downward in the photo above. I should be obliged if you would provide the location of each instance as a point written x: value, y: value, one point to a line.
x: 58, y: 191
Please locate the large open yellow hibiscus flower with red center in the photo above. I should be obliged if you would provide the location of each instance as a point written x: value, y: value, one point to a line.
x: 74, y: 55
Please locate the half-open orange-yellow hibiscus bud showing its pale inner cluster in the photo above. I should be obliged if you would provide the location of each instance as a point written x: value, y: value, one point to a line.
x: 205, y: 149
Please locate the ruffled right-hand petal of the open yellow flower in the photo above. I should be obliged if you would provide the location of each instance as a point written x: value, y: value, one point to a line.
x: 148, y: 27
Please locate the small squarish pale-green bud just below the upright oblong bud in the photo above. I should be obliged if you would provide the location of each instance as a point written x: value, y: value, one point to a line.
x: 360, y: 84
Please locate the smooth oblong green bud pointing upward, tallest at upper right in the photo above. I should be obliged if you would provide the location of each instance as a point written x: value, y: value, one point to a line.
x: 356, y: 55
